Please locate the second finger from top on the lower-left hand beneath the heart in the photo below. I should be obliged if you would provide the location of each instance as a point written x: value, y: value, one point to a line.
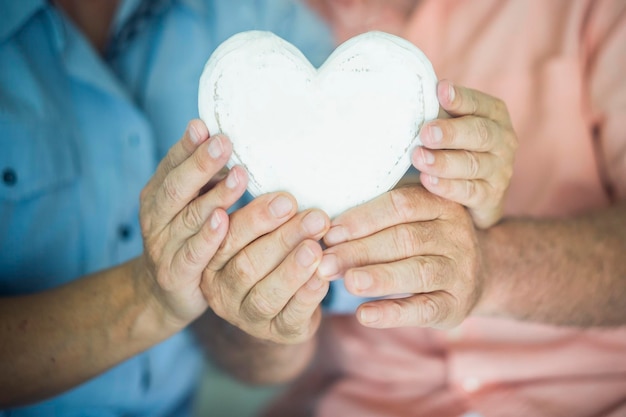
x: 262, y: 256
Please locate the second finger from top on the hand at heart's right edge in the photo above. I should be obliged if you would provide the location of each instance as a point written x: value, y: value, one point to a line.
x: 468, y: 132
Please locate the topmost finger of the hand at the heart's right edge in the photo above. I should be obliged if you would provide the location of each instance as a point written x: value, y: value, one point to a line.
x: 460, y: 101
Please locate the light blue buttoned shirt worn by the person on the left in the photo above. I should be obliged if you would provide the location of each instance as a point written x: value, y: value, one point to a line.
x: 80, y: 137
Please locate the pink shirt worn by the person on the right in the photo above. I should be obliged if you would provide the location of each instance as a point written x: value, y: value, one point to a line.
x: 560, y: 67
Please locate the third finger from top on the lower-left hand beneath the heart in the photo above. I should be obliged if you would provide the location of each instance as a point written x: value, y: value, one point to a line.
x: 269, y: 296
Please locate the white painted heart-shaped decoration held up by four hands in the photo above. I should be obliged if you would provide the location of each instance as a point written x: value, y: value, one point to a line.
x: 334, y: 137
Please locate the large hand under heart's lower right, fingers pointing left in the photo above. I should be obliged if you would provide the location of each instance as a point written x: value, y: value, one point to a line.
x: 410, y: 242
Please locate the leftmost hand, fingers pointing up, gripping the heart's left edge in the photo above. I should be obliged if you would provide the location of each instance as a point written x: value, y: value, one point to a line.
x: 183, y: 219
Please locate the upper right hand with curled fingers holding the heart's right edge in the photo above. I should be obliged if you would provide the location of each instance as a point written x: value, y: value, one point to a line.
x: 469, y: 157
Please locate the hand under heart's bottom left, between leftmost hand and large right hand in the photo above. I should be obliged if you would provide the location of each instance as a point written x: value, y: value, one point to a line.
x: 262, y: 278
